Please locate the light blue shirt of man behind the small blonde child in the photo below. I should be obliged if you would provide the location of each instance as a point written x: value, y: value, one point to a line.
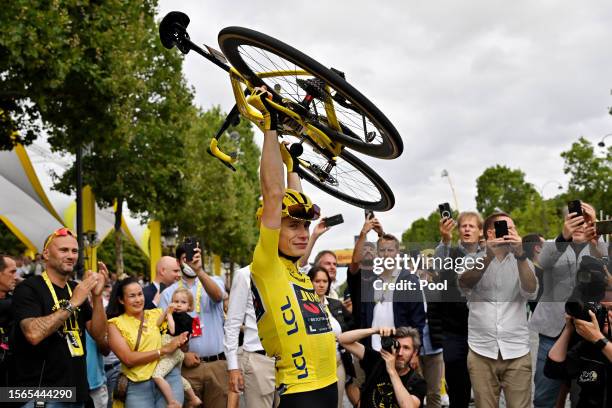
x: 210, y: 343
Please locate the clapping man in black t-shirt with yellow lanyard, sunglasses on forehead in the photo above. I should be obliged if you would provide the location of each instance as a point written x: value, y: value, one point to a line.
x: 51, y: 314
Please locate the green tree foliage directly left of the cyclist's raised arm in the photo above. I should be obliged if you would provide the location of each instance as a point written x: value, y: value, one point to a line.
x: 220, y: 204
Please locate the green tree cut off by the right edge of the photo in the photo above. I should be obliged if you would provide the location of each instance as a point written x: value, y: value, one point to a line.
x: 590, y: 175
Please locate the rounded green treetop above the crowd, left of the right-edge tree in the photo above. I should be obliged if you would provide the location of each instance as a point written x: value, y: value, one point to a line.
x: 502, y: 188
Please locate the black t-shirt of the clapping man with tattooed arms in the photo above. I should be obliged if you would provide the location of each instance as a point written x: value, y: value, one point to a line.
x: 32, y: 298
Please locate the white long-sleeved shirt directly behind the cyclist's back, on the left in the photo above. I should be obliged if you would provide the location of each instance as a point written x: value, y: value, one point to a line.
x: 240, y: 310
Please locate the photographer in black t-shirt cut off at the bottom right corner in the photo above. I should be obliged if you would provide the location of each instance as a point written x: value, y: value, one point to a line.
x: 583, y: 352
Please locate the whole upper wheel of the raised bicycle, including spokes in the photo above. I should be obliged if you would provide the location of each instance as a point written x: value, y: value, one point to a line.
x: 364, y: 127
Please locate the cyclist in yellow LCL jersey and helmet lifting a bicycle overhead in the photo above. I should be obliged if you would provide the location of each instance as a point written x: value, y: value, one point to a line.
x: 292, y: 325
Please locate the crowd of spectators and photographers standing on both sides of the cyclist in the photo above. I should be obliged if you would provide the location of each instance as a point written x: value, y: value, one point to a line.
x: 172, y: 343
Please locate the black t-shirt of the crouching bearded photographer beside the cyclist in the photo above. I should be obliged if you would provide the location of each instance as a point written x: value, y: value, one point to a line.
x: 379, y: 392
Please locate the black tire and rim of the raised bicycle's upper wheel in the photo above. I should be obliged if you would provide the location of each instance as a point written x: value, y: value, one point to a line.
x: 231, y: 39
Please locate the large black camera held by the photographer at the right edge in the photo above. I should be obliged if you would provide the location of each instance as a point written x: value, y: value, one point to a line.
x: 591, y: 282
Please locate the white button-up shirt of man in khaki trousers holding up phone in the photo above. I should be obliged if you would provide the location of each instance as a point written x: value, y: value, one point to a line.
x: 497, y: 321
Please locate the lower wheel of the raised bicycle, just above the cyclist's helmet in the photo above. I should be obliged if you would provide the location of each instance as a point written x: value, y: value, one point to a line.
x: 345, y: 177
